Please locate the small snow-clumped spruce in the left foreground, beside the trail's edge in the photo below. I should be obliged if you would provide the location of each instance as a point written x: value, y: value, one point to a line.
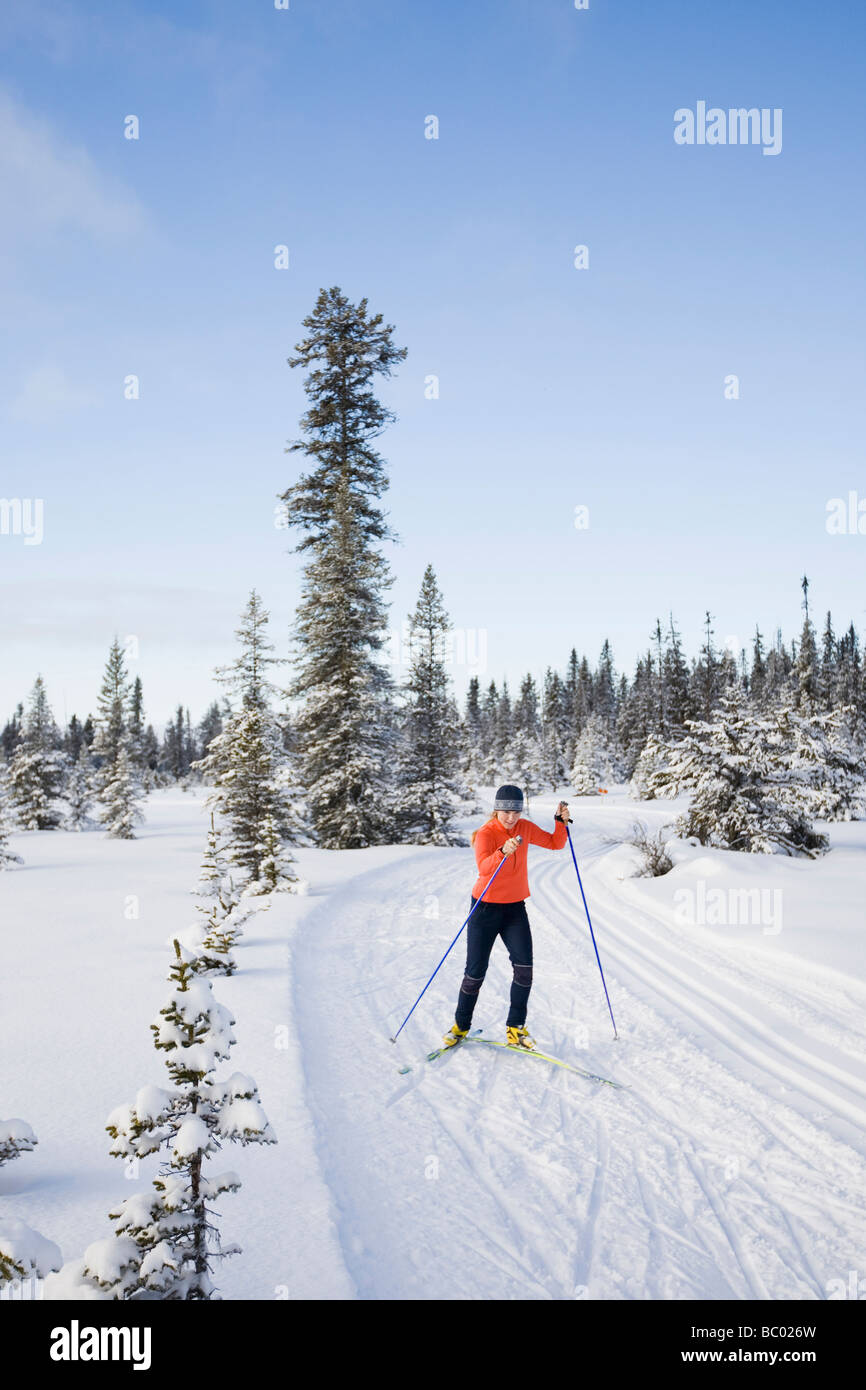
x: 166, y: 1243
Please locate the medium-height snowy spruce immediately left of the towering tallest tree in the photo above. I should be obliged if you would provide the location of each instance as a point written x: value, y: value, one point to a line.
x: 248, y: 762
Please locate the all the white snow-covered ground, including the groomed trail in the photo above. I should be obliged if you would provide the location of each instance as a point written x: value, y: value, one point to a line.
x: 733, y: 1168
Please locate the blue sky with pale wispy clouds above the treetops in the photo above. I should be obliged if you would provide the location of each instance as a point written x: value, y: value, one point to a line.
x: 558, y: 387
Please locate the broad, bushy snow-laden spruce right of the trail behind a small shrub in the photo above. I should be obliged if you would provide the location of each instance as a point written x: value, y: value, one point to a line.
x: 744, y: 794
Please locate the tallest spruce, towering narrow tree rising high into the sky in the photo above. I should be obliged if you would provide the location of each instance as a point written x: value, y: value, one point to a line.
x: 345, y: 728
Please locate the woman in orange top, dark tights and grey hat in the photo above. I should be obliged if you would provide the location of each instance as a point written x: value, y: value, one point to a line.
x: 504, y: 913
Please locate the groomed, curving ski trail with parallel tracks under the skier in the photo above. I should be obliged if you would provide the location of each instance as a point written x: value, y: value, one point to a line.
x: 733, y: 1170
